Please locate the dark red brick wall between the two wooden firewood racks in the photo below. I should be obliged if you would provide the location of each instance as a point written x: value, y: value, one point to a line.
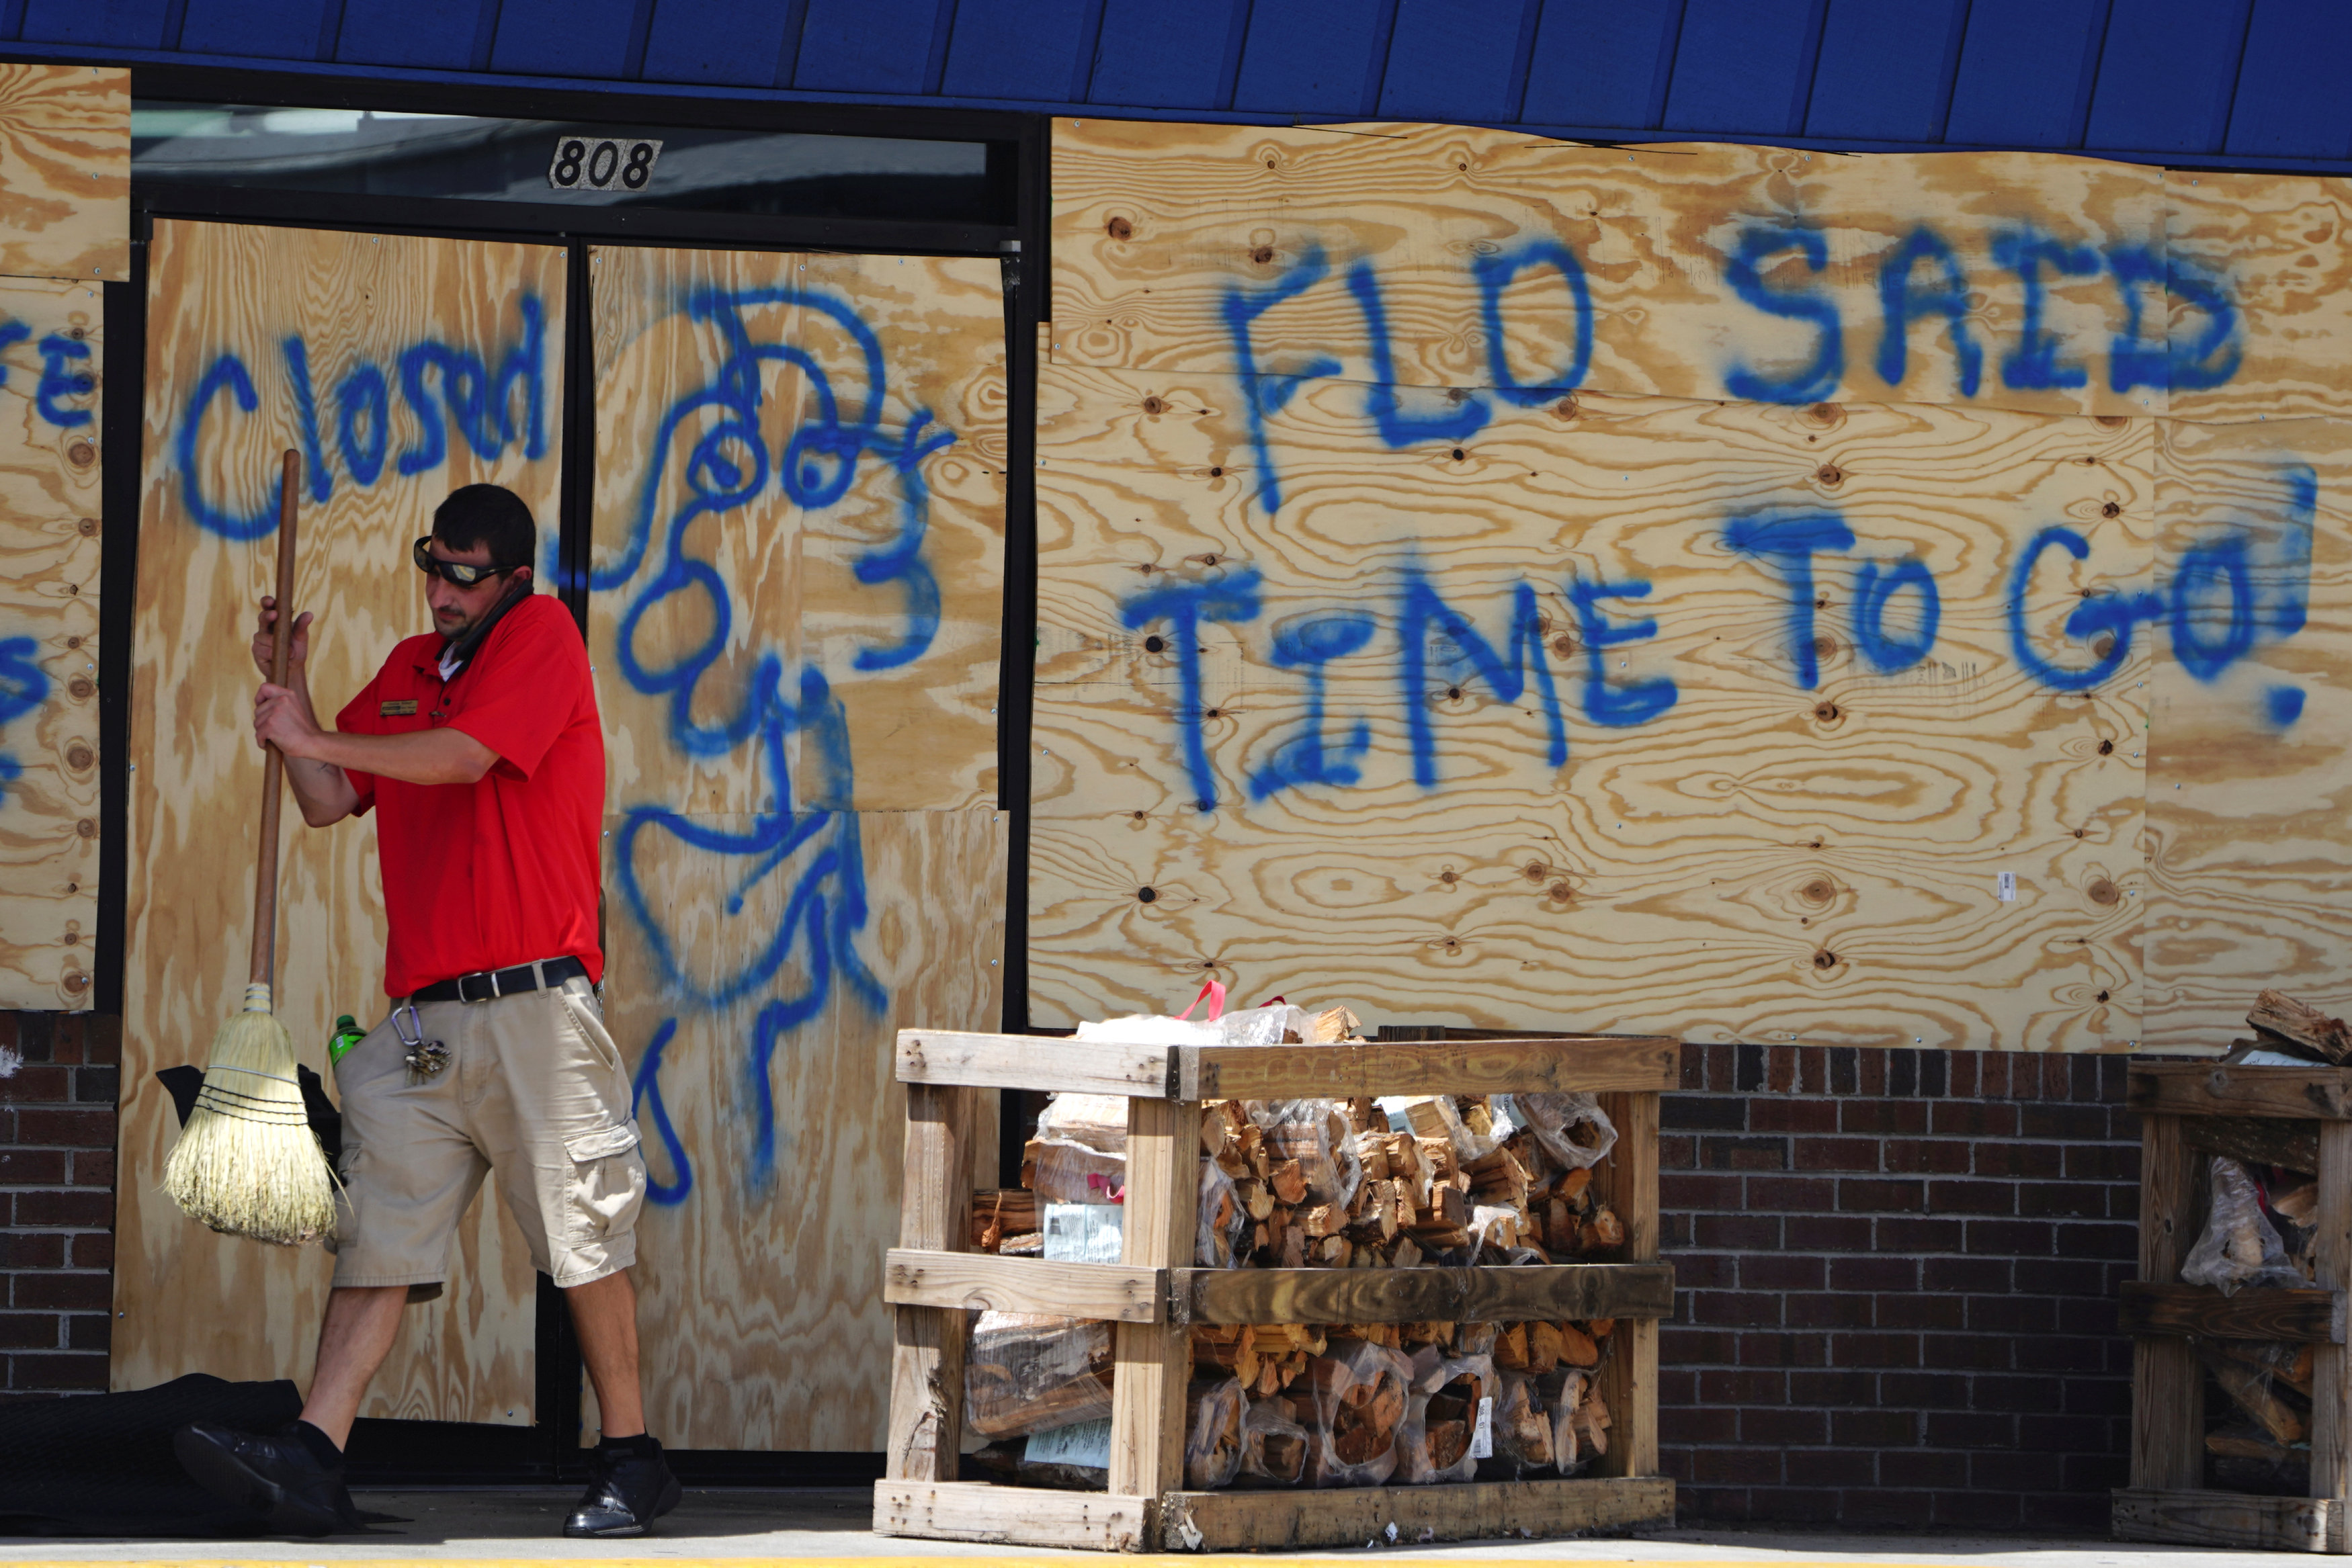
x: 1897, y: 1280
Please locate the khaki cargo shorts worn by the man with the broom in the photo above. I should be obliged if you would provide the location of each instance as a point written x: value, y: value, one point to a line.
x: 537, y: 1094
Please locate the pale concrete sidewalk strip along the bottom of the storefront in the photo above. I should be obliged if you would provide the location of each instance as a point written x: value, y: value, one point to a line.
x: 737, y: 1525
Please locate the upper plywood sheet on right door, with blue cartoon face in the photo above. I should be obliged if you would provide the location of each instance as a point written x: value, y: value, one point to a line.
x: 801, y: 476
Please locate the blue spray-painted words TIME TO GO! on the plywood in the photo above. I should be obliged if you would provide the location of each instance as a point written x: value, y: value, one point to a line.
x: 2233, y: 591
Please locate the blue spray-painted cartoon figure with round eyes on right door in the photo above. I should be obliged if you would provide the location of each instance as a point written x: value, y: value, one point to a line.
x: 730, y: 464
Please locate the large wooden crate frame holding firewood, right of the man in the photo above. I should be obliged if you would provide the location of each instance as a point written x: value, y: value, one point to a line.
x: 1154, y: 1299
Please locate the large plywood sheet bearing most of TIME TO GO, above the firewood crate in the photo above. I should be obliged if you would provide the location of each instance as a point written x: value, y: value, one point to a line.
x: 1396, y: 822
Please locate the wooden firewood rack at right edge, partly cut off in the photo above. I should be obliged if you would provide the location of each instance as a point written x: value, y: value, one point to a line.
x: 2179, y: 1120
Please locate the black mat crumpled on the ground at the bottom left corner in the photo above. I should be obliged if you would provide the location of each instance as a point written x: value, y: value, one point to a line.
x: 102, y: 1466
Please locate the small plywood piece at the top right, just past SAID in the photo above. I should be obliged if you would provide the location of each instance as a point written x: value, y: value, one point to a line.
x: 2285, y: 248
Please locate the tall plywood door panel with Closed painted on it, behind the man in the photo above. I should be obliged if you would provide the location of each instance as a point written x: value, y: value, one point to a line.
x: 227, y: 394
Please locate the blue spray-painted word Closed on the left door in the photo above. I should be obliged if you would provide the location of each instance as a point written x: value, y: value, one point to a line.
x: 493, y: 408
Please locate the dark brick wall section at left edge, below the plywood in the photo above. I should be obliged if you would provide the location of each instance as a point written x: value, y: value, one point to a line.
x: 58, y: 1202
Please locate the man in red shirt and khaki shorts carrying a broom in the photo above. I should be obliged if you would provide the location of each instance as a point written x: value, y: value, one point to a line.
x: 481, y: 751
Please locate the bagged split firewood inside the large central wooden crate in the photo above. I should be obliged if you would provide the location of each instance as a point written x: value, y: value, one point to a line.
x: 1349, y: 1186
